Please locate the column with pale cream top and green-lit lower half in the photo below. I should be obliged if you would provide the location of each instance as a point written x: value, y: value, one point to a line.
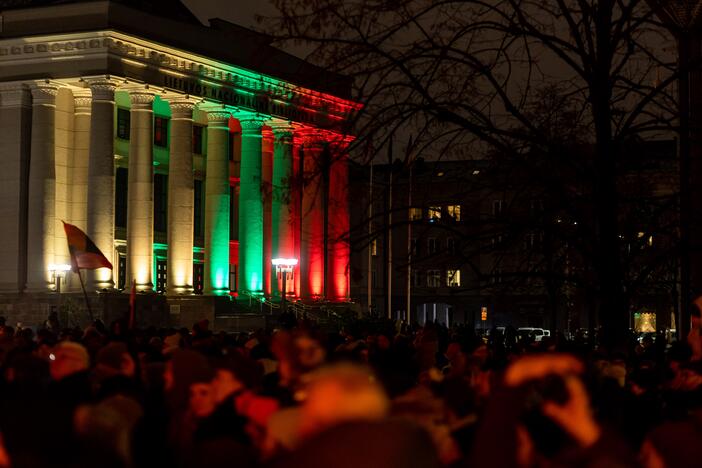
x: 217, y: 201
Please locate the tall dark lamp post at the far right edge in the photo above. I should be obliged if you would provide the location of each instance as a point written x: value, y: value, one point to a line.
x: 684, y: 19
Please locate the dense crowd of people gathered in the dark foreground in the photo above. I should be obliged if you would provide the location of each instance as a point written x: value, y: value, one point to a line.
x: 369, y: 395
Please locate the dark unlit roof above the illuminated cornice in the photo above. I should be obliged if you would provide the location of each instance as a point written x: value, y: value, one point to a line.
x: 171, y: 23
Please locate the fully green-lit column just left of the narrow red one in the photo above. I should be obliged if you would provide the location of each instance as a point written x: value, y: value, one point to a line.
x: 251, y: 208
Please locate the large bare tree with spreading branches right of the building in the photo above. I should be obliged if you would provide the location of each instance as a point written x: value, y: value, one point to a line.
x: 509, y: 79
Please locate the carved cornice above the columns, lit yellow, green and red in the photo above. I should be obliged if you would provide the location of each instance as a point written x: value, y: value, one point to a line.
x: 187, y: 73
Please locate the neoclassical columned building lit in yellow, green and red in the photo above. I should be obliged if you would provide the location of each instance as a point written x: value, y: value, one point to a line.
x: 191, y: 155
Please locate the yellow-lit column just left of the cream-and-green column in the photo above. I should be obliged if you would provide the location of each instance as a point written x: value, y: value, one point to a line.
x: 181, y: 192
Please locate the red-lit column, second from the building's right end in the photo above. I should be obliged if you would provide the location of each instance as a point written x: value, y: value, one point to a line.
x: 312, y: 237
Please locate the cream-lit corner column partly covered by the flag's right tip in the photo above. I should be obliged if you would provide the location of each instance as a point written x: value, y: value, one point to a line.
x: 101, y: 177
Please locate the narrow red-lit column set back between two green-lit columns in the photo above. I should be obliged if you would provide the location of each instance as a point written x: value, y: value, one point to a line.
x: 266, y: 194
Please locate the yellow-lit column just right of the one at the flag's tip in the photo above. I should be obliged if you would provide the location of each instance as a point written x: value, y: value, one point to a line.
x: 140, y: 193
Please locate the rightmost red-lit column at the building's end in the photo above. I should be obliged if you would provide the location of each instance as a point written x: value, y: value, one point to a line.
x: 338, y: 225
